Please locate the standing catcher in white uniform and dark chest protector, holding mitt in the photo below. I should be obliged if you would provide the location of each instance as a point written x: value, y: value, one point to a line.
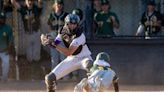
x: 76, y: 50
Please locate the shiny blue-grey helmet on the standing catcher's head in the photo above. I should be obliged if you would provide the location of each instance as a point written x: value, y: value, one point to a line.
x: 72, y: 18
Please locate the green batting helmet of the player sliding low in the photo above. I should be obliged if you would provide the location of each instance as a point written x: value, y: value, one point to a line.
x: 103, y: 56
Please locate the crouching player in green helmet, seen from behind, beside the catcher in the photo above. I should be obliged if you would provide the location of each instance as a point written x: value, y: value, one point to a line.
x: 100, y: 78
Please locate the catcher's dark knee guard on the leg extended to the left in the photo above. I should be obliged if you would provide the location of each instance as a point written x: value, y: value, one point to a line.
x: 50, y: 79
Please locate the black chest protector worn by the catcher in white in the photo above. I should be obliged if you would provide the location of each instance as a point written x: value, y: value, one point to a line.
x: 68, y: 37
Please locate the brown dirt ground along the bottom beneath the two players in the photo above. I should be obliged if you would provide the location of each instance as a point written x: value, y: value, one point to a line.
x: 67, y: 86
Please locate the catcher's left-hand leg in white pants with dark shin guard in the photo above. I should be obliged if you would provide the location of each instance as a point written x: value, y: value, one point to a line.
x: 65, y: 67
